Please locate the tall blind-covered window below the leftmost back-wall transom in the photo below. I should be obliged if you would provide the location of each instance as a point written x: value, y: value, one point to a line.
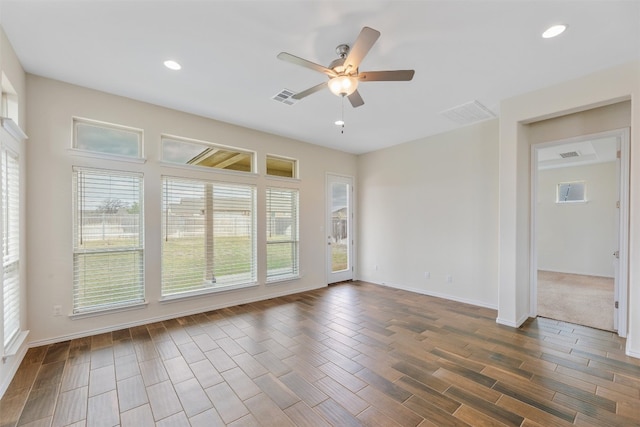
x: 108, y: 240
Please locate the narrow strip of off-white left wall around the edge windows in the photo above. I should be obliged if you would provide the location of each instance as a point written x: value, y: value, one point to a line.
x: 12, y: 70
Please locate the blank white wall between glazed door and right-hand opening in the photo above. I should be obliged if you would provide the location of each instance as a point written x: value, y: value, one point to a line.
x: 431, y: 205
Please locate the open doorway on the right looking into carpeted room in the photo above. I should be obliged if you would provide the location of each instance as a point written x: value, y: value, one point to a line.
x: 580, y: 229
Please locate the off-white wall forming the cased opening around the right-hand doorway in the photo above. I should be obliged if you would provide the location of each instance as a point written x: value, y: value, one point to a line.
x: 605, y: 87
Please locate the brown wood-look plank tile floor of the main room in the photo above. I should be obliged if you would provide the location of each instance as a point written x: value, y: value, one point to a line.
x: 347, y: 355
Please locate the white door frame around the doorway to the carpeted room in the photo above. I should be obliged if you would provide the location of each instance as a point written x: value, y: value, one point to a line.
x: 621, y: 289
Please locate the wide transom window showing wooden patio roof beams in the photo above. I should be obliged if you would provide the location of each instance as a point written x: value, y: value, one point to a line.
x: 198, y: 153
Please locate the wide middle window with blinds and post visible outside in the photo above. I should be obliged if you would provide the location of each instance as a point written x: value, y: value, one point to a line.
x: 208, y: 236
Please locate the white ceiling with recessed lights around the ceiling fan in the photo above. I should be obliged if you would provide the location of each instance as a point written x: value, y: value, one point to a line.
x: 461, y: 51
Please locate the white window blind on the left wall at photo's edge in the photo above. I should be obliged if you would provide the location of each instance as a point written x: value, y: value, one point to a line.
x: 10, y: 245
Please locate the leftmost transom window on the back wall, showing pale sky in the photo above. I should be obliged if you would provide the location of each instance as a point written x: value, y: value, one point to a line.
x: 107, y: 138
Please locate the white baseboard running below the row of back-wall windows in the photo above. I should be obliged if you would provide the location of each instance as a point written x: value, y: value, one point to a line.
x: 146, y: 321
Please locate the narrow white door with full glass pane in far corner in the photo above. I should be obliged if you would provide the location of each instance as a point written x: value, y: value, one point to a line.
x: 339, y: 228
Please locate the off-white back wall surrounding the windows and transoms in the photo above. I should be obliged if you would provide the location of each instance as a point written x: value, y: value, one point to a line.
x: 51, y: 106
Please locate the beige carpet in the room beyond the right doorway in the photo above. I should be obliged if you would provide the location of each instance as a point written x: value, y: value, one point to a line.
x: 585, y: 300
